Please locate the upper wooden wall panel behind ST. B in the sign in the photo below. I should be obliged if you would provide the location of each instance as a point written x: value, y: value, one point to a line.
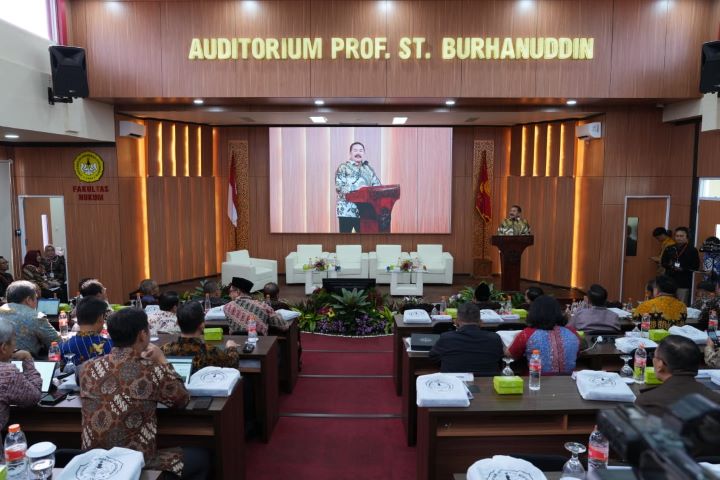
x: 432, y: 20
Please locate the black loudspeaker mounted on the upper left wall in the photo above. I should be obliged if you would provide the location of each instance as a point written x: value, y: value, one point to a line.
x: 69, y: 73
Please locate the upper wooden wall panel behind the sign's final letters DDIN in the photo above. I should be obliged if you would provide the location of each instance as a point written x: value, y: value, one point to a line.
x: 576, y: 78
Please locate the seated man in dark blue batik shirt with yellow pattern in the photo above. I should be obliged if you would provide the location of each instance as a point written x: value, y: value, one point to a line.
x: 88, y: 342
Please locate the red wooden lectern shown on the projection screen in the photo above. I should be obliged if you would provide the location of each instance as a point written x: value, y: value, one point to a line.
x: 375, y: 205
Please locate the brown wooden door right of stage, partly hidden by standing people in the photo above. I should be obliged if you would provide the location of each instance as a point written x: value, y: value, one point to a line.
x: 638, y: 269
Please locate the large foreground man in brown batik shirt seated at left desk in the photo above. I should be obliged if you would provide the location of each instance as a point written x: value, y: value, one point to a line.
x: 137, y: 376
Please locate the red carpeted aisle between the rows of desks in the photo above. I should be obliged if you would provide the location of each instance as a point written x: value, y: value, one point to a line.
x: 342, y: 422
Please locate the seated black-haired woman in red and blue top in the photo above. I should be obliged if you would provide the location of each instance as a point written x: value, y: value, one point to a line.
x: 559, y: 346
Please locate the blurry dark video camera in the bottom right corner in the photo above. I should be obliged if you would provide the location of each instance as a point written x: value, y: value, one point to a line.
x: 660, y: 448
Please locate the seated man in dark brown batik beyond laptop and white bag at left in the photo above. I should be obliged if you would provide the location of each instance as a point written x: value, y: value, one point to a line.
x: 191, y: 343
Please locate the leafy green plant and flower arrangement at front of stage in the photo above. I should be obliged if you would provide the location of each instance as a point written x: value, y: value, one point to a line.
x: 352, y: 312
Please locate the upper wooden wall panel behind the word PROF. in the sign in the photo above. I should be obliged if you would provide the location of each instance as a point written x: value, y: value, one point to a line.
x: 342, y: 77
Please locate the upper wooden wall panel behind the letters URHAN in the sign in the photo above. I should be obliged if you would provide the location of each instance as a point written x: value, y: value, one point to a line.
x: 499, y: 78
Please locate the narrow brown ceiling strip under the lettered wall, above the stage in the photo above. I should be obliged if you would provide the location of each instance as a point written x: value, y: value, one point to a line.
x: 234, y: 116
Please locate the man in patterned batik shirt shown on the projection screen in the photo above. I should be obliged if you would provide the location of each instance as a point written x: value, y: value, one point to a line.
x: 350, y: 176
